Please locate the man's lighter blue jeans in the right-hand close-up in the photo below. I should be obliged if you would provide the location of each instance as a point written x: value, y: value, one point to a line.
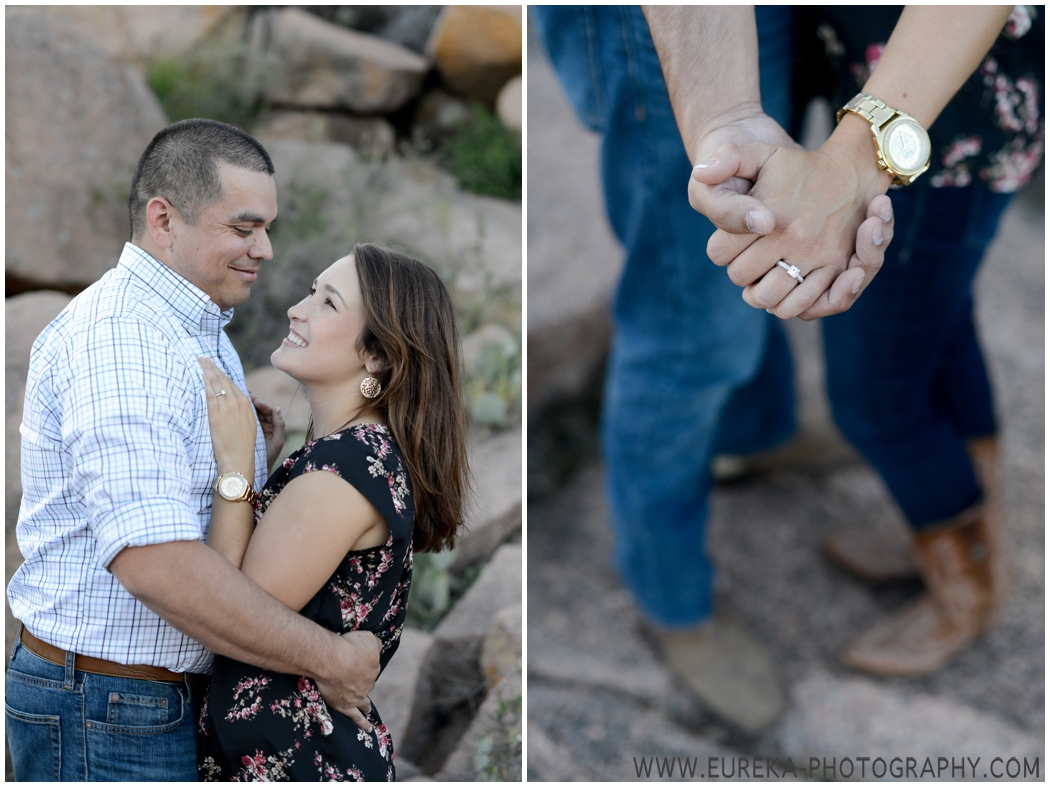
x: 694, y: 369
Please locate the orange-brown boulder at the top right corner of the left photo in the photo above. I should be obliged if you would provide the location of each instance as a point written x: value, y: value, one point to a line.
x: 478, y: 49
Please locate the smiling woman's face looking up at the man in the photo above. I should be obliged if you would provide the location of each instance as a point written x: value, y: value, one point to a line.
x: 322, y: 345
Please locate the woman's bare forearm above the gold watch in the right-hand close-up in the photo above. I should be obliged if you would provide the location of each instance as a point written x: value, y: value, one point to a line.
x: 933, y: 52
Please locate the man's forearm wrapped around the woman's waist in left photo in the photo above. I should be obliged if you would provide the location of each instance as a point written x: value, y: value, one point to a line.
x: 203, y: 595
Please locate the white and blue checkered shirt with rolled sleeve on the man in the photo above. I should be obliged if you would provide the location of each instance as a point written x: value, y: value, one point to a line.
x: 117, y: 453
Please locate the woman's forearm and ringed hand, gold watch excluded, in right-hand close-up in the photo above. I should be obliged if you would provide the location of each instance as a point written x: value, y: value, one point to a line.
x: 818, y: 199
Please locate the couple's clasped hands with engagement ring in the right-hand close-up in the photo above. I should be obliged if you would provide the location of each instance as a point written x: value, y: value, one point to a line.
x: 825, y: 212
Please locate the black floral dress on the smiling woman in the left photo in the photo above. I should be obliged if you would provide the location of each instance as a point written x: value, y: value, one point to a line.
x: 259, y: 726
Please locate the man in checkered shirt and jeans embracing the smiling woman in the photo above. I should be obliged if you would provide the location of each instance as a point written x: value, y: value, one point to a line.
x: 122, y: 604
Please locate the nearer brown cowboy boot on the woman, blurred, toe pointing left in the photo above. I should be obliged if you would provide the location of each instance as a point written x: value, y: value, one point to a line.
x: 957, y: 563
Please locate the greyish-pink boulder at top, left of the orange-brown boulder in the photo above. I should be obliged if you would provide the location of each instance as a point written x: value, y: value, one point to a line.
x: 320, y: 65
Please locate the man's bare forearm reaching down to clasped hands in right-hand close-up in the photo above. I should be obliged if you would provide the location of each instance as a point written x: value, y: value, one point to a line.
x: 709, y: 55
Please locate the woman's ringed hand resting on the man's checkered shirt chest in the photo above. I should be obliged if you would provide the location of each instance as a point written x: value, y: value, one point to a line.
x: 232, y: 419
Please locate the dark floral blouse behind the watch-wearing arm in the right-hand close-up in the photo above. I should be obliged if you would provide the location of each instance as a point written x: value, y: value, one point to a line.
x: 992, y: 132
